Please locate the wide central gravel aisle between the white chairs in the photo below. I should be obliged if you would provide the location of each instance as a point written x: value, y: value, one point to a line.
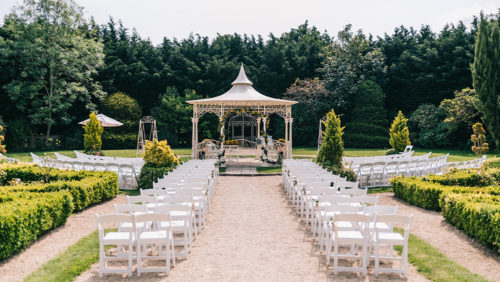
x: 252, y: 235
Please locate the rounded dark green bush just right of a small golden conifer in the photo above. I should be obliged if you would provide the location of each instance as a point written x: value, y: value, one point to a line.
x: 428, y: 129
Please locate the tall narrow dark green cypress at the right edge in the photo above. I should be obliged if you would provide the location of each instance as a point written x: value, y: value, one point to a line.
x: 486, y: 75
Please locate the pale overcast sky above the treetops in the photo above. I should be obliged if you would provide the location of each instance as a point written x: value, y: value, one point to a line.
x: 155, y: 19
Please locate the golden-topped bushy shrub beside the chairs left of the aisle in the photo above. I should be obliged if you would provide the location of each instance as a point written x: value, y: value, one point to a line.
x: 159, y: 160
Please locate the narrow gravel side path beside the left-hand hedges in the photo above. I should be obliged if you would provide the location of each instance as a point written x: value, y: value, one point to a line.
x: 55, y: 242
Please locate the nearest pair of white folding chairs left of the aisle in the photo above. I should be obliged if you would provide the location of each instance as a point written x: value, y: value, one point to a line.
x: 154, y: 231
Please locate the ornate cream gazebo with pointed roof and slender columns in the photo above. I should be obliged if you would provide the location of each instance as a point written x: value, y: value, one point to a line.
x: 243, y: 97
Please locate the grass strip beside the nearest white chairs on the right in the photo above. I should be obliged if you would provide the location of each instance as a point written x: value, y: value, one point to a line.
x: 434, y: 265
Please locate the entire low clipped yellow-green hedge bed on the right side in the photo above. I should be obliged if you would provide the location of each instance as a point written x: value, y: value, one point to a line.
x: 473, y: 209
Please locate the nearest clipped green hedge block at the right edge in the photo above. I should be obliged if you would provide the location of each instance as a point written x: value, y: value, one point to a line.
x: 478, y: 215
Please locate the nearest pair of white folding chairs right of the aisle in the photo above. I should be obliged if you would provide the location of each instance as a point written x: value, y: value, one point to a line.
x: 353, y: 230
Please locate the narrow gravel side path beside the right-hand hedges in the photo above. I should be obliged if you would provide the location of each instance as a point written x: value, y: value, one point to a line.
x: 432, y: 227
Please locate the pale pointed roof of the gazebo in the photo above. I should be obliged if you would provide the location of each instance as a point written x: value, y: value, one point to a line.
x: 242, y: 94
